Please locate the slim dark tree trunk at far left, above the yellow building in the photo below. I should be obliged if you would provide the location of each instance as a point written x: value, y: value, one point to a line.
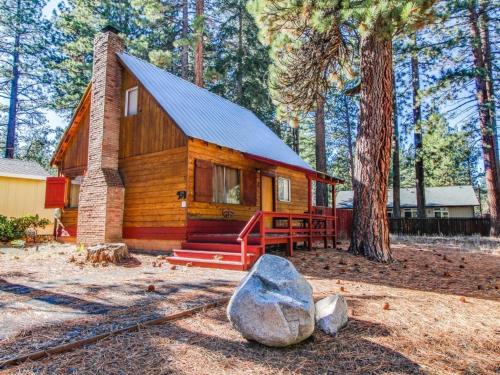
x: 14, y: 88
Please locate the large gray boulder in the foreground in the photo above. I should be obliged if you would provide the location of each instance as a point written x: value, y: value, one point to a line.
x: 273, y: 304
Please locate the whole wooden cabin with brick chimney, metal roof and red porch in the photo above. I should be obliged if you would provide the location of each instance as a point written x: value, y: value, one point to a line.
x: 154, y: 161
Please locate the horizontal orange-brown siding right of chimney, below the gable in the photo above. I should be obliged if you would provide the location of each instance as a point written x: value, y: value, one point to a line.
x: 151, y: 185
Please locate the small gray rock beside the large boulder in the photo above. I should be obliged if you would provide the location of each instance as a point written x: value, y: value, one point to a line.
x: 331, y: 314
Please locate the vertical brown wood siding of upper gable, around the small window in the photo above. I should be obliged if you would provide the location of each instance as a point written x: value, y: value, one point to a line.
x: 151, y: 129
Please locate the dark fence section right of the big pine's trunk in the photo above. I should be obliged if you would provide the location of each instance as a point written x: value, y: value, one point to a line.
x: 445, y: 227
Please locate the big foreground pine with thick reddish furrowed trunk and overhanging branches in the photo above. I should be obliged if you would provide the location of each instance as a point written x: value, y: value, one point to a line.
x: 376, y: 22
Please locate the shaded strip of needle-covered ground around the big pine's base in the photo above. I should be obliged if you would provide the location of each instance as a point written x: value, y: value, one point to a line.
x: 437, y: 270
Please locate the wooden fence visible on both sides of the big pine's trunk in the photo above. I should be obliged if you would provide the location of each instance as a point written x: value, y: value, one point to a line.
x: 413, y: 226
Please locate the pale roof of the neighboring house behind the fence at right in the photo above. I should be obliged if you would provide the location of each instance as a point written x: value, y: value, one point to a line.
x: 444, y: 196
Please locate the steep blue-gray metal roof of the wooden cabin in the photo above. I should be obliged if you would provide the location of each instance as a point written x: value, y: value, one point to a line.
x: 203, y: 115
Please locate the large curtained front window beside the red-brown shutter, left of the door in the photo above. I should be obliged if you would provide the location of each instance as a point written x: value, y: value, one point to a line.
x: 226, y: 185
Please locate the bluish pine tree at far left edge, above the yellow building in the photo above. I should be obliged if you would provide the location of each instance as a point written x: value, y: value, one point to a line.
x: 24, y: 49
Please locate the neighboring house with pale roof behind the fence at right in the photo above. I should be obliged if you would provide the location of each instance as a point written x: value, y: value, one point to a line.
x: 440, y: 202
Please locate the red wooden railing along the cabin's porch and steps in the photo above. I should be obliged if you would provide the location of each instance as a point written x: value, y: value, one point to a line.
x: 288, y: 228
